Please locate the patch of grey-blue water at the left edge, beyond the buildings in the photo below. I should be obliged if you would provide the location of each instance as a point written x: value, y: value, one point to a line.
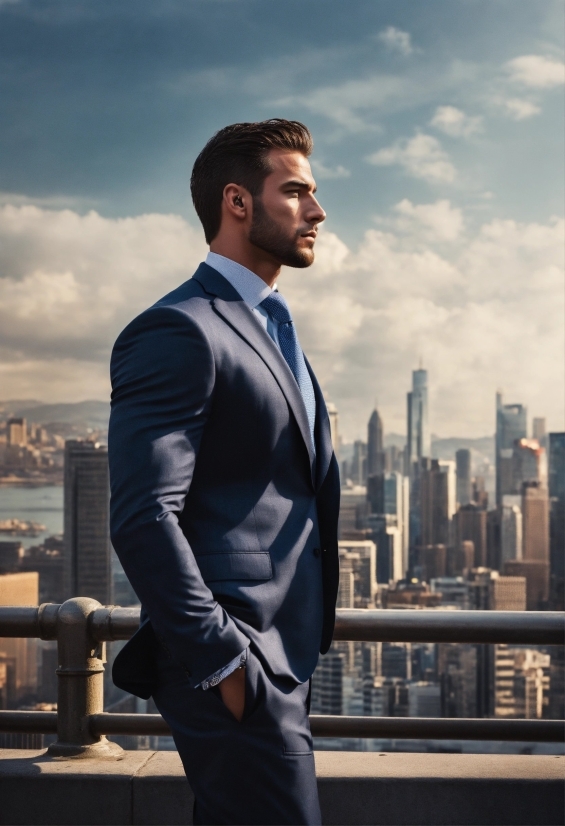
x: 43, y: 504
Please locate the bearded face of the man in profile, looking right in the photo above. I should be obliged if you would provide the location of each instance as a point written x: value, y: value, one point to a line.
x: 286, y: 214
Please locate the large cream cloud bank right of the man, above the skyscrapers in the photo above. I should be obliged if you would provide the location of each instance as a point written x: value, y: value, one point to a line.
x: 492, y: 316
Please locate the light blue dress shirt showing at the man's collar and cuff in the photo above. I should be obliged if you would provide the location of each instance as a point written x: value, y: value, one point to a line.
x: 253, y: 291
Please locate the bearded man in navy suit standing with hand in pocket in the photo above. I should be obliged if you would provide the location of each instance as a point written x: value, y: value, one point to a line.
x: 225, y: 490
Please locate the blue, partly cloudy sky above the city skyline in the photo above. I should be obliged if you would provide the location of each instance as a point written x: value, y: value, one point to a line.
x: 439, y: 153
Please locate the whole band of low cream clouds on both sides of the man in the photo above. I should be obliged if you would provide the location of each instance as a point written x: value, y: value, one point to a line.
x: 488, y: 314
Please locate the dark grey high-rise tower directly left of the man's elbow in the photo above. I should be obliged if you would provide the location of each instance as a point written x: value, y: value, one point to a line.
x: 86, y: 566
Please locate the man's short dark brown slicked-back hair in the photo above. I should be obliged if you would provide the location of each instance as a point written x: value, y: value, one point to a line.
x: 238, y: 154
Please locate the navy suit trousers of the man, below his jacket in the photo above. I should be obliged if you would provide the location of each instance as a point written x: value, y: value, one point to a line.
x: 257, y: 771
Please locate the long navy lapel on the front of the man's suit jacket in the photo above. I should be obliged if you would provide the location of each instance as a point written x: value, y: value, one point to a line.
x: 231, y: 307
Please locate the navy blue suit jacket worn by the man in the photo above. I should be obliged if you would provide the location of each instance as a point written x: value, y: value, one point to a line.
x: 225, y: 523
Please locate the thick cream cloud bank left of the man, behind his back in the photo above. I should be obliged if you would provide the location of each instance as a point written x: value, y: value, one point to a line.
x: 70, y: 282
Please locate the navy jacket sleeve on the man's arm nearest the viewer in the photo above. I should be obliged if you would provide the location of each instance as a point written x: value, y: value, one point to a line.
x: 163, y: 375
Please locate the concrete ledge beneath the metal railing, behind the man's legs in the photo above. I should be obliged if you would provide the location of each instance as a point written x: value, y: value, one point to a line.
x: 149, y: 788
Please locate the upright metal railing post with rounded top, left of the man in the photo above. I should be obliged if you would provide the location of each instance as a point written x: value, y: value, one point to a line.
x: 80, y: 684
